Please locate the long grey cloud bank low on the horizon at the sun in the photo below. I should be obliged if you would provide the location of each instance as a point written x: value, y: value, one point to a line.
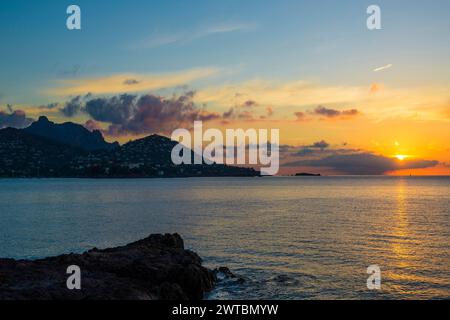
x: 365, y: 163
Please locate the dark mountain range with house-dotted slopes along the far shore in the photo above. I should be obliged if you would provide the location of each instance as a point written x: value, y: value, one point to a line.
x: 47, y: 149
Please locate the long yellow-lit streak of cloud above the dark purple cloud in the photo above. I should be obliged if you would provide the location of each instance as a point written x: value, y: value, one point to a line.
x: 120, y: 83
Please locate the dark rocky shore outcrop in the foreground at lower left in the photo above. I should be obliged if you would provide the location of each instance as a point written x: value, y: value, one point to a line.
x: 157, y: 267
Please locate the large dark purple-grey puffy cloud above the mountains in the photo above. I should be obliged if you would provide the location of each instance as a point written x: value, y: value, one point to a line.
x: 128, y: 114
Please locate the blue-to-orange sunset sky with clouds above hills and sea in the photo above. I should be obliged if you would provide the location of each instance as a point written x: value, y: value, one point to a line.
x: 347, y: 100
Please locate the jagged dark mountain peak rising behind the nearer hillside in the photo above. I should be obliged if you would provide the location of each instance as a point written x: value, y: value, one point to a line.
x: 69, y: 133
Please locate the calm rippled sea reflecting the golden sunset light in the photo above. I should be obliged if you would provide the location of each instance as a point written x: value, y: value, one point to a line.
x: 289, y: 238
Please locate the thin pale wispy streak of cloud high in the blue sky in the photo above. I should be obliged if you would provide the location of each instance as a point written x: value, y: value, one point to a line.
x: 182, y: 37
